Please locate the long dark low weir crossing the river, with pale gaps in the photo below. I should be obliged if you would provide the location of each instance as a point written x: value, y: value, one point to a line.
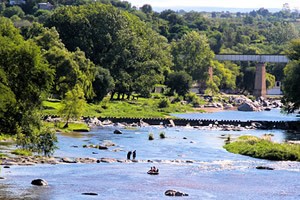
x: 285, y: 125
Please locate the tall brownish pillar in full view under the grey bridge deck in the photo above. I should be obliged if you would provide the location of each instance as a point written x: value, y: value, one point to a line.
x: 260, y: 80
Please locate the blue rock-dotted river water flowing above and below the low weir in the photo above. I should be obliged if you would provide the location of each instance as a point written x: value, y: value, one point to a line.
x: 190, y: 160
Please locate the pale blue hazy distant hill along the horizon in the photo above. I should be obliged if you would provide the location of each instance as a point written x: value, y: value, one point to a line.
x: 213, y: 9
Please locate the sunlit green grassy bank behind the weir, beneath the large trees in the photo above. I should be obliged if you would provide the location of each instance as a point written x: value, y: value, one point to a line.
x: 126, y: 108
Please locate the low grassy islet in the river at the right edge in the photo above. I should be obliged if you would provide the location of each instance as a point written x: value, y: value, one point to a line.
x: 264, y: 148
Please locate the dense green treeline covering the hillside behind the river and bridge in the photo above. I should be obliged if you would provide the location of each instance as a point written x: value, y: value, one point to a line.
x: 80, y: 51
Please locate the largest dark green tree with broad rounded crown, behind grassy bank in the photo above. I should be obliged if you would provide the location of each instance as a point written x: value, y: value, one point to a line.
x: 135, y: 55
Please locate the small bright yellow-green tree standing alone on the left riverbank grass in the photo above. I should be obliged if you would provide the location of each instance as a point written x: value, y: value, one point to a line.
x: 72, y: 105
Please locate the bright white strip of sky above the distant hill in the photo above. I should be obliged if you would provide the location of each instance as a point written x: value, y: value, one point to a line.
x: 217, y: 3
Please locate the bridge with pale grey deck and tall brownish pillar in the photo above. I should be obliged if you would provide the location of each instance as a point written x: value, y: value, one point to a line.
x: 260, y: 75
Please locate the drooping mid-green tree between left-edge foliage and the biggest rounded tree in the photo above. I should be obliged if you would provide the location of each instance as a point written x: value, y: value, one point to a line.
x: 71, y: 68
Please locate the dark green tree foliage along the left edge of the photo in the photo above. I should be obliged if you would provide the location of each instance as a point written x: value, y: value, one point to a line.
x: 24, y: 77
